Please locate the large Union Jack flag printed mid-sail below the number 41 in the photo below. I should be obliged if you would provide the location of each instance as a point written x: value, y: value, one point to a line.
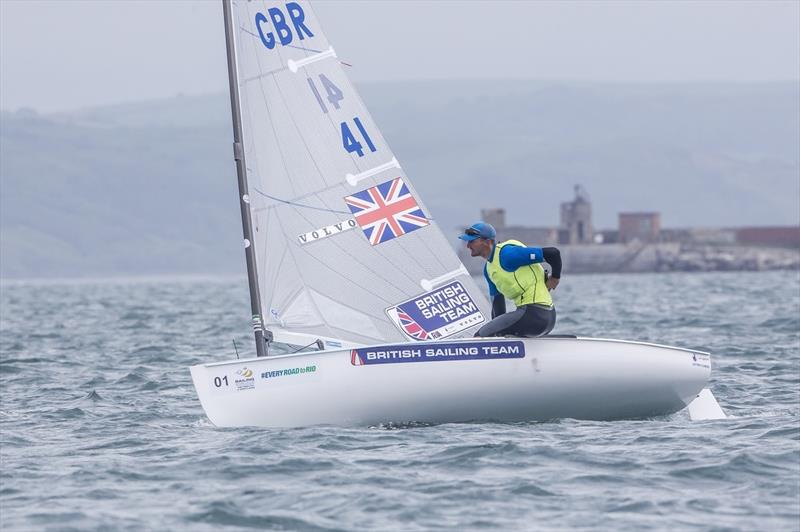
x: 386, y: 211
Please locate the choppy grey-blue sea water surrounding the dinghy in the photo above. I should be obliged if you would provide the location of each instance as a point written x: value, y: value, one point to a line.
x: 101, y: 427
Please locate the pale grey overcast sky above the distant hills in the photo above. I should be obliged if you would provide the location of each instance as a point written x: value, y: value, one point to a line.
x: 59, y: 55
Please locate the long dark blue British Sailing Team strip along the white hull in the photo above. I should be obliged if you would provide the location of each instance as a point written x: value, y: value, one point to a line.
x: 436, y: 352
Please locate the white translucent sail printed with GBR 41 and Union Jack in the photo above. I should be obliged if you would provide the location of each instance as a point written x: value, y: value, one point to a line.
x: 345, y: 246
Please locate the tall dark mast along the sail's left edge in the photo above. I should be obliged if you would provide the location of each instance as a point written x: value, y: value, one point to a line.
x: 241, y: 172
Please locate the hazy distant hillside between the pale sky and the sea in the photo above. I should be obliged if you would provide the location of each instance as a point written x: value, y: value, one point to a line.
x: 150, y: 188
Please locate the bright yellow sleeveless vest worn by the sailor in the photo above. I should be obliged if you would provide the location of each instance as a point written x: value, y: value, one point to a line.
x: 523, y: 286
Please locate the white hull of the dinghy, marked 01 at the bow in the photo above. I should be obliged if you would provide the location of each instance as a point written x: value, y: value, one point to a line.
x: 582, y: 378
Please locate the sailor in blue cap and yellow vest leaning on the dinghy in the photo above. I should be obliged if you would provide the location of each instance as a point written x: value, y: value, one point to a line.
x: 514, y: 271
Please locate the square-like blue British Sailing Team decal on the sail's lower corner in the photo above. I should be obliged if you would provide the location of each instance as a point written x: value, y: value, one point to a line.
x: 437, y: 314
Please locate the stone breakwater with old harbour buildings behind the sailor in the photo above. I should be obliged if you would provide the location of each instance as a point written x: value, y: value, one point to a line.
x: 639, y: 243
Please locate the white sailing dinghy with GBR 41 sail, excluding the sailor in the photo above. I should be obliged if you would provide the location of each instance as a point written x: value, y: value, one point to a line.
x: 344, y: 256
